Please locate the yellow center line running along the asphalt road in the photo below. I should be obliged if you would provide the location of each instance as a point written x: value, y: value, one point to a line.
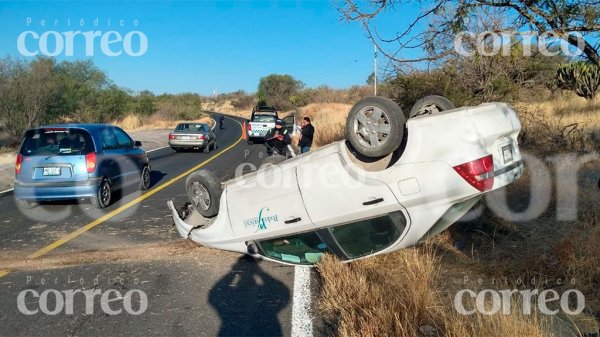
x: 81, y: 230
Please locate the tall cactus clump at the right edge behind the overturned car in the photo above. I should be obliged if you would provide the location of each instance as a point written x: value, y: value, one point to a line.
x: 581, y: 77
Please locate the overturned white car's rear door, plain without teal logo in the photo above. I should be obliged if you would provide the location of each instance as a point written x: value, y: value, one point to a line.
x: 333, y: 195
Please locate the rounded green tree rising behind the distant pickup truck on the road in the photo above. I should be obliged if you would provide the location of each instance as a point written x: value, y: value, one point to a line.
x: 281, y: 91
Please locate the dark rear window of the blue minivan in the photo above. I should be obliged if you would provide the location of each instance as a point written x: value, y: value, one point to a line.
x: 56, y: 141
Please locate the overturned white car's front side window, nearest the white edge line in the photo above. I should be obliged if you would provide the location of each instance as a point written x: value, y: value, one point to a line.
x: 304, y: 248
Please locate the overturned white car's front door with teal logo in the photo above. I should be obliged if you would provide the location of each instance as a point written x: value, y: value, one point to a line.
x: 267, y: 204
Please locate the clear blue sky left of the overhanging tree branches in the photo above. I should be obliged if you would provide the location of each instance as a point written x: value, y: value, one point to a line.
x: 197, y: 46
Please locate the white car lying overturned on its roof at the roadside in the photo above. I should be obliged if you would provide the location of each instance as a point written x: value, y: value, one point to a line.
x: 391, y: 184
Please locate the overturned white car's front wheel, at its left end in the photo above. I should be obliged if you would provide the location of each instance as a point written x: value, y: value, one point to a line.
x: 204, y: 192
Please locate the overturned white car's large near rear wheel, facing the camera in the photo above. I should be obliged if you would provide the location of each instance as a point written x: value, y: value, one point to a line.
x: 375, y: 126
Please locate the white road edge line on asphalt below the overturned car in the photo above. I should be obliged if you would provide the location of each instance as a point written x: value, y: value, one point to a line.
x: 301, y: 321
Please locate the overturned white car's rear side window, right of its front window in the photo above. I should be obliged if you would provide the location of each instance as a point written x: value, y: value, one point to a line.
x: 369, y: 236
